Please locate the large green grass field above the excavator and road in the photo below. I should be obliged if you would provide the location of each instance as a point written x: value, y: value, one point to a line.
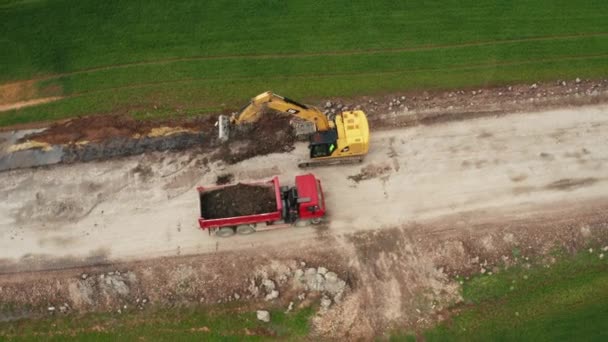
x: 206, y: 56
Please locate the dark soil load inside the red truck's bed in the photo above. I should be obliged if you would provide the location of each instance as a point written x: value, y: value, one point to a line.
x: 238, y: 200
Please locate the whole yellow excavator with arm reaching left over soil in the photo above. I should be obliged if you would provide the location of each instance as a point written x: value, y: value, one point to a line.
x: 342, y: 140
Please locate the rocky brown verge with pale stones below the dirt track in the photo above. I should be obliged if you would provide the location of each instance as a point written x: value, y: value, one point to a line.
x: 366, y: 283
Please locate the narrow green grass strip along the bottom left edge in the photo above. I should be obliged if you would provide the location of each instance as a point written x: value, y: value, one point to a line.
x: 194, y: 324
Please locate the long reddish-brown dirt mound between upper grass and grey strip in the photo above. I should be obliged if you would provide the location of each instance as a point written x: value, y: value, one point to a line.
x: 104, y: 127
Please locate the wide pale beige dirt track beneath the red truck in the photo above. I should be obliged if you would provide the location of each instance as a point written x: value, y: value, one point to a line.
x: 146, y: 206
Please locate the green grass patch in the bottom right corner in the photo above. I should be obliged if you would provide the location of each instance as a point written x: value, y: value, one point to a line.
x: 565, y: 302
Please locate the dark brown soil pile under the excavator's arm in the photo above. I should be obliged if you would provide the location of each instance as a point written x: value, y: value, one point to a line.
x: 271, y: 134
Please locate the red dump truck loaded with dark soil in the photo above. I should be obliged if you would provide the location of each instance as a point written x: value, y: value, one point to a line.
x: 245, y: 208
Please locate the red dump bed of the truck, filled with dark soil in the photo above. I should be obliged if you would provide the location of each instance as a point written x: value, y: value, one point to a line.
x: 240, y: 204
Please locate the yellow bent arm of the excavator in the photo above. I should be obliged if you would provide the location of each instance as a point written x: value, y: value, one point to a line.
x: 268, y: 100
